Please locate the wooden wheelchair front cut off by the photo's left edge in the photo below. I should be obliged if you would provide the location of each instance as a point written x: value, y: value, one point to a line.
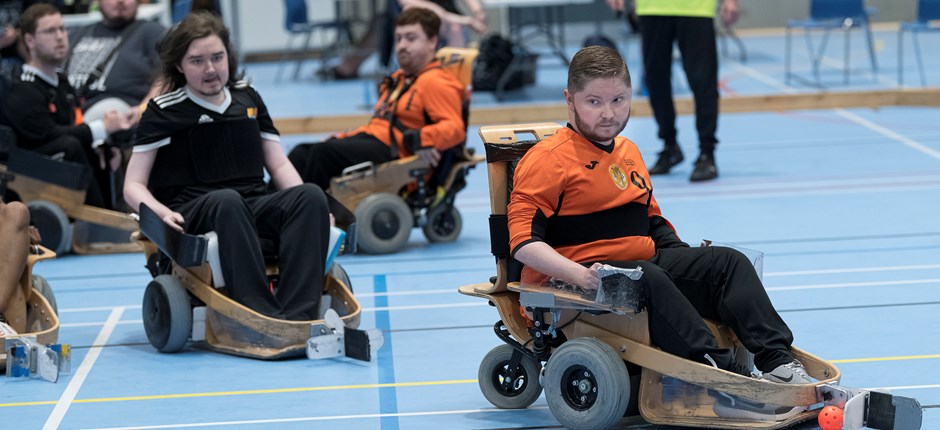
x: 33, y: 305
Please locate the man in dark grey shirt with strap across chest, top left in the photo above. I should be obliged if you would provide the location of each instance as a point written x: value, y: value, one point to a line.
x: 116, y: 57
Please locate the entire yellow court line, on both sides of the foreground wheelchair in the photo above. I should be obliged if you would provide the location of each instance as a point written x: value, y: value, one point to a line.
x: 364, y: 386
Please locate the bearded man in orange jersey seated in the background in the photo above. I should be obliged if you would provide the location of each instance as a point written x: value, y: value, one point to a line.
x: 419, y: 110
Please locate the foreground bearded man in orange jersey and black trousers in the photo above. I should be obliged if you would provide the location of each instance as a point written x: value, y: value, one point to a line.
x: 583, y: 198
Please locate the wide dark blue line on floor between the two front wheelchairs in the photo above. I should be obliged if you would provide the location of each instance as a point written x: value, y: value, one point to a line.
x: 388, y: 396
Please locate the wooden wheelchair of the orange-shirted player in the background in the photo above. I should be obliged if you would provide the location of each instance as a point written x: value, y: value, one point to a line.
x: 374, y: 193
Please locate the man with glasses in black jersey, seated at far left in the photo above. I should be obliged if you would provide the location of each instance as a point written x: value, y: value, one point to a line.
x: 42, y: 108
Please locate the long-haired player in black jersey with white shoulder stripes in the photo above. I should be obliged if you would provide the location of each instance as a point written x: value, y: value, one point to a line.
x: 199, y: 160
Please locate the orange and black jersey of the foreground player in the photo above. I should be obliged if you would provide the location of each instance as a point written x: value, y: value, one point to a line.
x: 588, y: 201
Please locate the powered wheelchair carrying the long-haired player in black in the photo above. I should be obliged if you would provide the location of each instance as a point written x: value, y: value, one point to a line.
x: 186, y: 300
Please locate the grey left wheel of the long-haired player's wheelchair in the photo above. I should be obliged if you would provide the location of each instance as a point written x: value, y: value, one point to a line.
x: 168, y: 316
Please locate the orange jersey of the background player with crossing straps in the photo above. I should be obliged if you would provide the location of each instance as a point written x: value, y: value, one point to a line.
x: 432, y: 103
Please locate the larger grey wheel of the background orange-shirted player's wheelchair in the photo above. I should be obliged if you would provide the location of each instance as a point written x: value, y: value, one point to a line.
x: 384, y: 223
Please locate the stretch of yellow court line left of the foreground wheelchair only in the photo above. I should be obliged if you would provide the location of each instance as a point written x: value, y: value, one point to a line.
x: 247, y: 392
